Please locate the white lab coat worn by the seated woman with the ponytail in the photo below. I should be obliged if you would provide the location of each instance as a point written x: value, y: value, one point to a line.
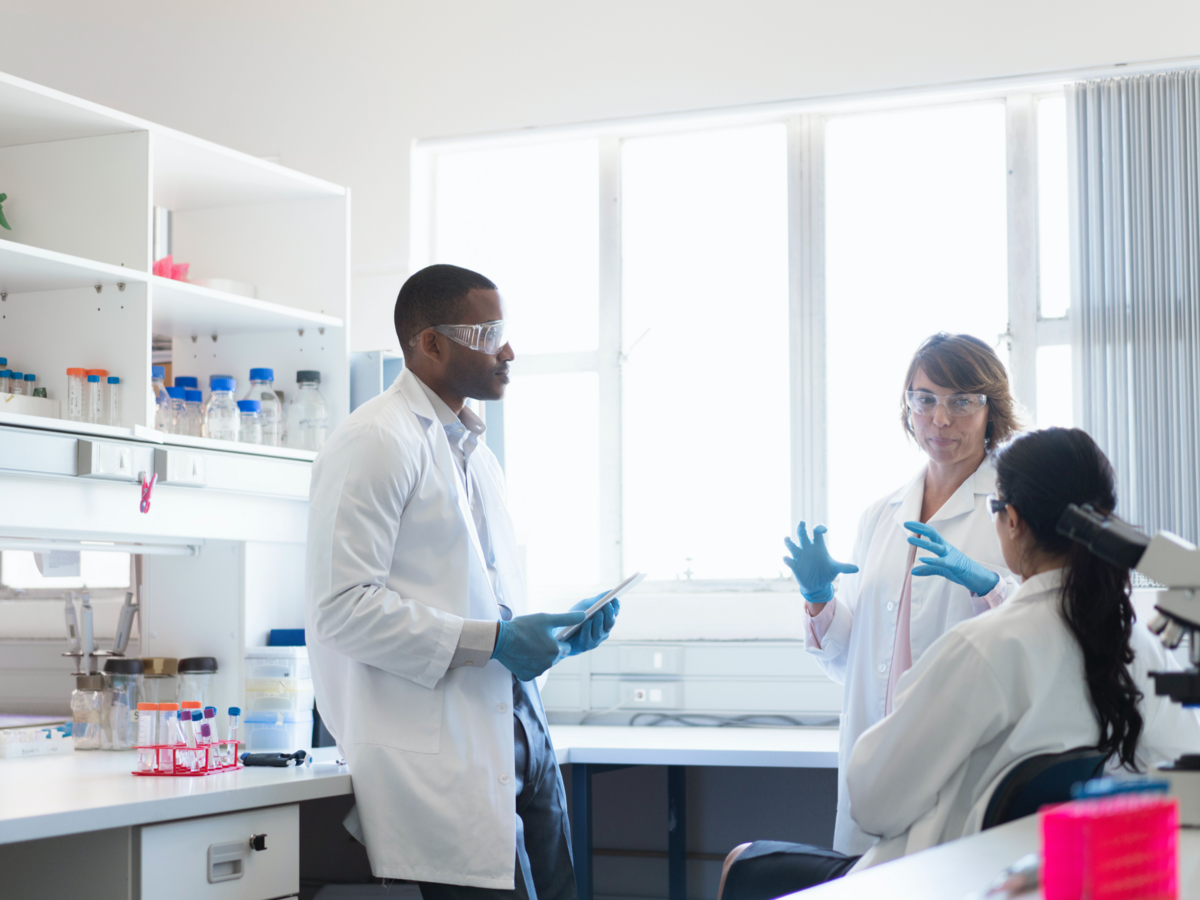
x: 994, y: 692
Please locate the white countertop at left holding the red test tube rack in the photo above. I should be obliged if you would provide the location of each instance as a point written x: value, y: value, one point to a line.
x: 52, y: 796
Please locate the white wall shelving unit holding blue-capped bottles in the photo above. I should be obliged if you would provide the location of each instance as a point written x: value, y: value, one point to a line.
x: 76, y: 287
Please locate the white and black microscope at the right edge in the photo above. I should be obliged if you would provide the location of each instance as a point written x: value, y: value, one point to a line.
x: 1175, y: 563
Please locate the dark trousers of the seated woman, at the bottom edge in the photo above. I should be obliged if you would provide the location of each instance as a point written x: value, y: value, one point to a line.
x: 771, y: 869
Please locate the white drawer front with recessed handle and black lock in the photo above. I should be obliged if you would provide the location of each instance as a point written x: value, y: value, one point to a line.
x: 212, y: 859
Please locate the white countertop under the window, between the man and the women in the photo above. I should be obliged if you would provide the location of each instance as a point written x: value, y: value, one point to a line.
x: 622, y: 746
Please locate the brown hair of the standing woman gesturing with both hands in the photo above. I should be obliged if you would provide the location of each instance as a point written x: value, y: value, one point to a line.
x: 970, y: 367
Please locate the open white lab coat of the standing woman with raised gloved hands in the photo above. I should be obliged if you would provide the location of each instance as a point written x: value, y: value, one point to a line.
x: 859, y: 644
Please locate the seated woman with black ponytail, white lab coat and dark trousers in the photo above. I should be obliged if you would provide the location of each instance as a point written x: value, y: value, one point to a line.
x: 1060, y: 665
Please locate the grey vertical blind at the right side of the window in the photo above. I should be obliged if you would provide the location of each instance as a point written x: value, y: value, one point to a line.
x: 1138, y: 169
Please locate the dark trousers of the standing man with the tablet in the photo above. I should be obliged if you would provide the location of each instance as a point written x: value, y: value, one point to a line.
x: 543, y: 869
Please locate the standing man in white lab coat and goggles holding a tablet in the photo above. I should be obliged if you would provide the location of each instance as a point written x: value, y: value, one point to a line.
x: 422, y: 656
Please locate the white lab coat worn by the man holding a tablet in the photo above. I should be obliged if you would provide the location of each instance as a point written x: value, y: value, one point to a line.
x: 394, y: 568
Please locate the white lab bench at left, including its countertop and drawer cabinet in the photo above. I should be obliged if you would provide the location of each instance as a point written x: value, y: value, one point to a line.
x: 83, y: 824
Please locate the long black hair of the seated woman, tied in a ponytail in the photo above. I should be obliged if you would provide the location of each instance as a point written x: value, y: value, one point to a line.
x: 1039, y: 475
